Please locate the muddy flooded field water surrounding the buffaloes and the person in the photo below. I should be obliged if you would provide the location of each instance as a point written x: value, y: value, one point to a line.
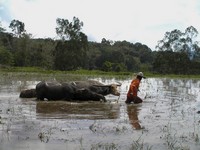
x: 168, y: 118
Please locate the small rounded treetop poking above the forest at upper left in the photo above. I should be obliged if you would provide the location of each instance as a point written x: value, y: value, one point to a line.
x: 17, y: 27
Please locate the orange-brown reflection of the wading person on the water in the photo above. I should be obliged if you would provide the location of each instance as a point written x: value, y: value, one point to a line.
x: 132, y: 112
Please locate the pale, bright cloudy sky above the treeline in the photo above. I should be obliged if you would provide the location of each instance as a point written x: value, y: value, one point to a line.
x: 144, y: 21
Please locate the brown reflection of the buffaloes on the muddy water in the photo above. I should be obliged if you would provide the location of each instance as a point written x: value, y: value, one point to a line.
x: 82, y: 110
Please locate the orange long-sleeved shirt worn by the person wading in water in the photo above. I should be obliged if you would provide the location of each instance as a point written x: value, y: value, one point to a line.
x: 134, y: 86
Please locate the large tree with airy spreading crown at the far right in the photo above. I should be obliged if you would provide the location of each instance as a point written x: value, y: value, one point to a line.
x: 181, y: 52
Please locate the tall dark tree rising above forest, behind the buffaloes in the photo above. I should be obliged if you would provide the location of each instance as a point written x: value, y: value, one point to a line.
x: 73, y: 47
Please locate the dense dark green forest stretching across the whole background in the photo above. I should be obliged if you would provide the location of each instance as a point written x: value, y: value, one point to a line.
x: 176, y: 53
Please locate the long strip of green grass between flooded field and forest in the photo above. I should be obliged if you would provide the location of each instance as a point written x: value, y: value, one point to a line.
x: 91, y: 73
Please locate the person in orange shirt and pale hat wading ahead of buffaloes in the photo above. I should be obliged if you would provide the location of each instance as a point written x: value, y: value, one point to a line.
x: 133, y: 89
